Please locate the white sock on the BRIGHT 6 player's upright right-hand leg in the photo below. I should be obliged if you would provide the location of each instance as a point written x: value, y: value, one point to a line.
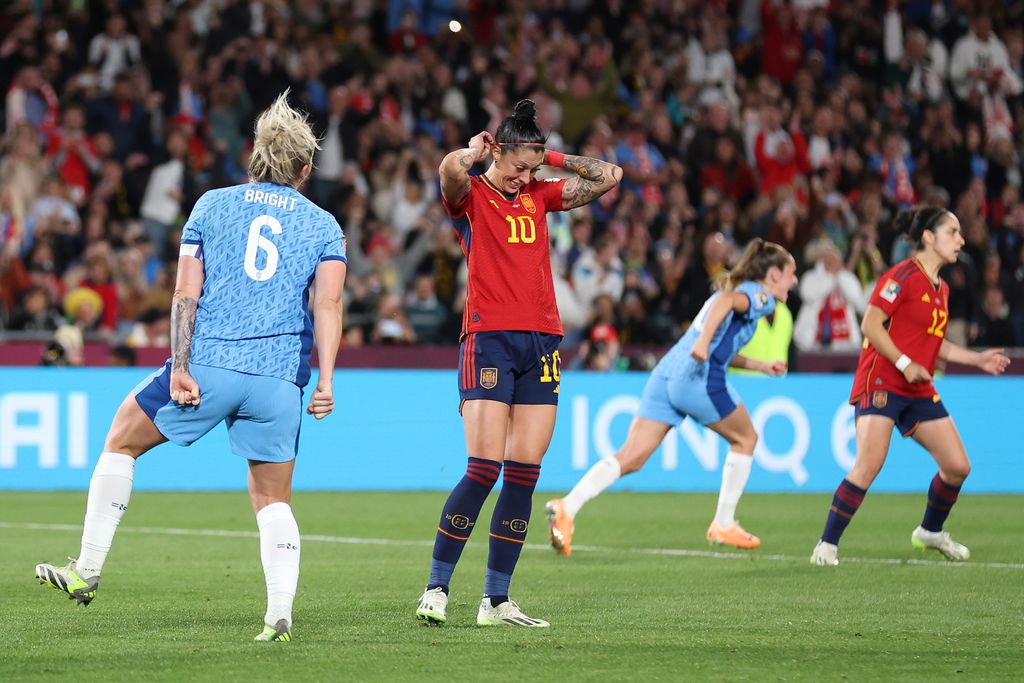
x: 279, y: 549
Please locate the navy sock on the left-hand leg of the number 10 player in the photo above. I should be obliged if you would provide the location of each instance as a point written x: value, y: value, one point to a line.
x: 459, y: 519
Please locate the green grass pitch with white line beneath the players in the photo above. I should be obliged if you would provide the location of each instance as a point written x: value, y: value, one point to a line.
x: 644, y: 597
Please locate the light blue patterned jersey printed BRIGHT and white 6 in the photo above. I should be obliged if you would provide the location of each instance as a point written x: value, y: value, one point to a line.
x: 261, y: 245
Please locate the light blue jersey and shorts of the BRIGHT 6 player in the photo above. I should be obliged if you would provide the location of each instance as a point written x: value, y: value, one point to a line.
x: 261, y: 245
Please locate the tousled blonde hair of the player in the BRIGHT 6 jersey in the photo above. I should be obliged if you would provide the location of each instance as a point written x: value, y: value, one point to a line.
x: 284, y: 144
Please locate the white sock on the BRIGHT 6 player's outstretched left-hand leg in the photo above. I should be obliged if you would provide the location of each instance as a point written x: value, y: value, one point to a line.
x: 110, y: 492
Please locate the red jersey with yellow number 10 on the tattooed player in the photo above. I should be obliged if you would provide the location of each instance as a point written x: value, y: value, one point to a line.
x: 507, y: 248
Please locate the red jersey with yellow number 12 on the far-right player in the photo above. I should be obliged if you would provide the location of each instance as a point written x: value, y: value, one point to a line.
x: 919, y: 312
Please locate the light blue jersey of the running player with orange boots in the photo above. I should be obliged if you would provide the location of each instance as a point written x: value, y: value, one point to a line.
x: 732, y: 335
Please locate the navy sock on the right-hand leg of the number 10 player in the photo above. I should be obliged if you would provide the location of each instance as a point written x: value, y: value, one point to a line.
x: 508, y: 528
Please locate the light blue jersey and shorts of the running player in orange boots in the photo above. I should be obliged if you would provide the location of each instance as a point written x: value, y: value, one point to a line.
x: 680, y: 387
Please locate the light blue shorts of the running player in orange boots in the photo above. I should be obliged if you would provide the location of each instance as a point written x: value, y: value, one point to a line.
x: 669, y: 401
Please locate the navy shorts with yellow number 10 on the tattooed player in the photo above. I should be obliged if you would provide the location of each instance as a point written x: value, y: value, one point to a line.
x: 515, y: 368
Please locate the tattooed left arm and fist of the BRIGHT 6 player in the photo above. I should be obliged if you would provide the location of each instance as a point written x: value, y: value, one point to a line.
x: 185, y: 391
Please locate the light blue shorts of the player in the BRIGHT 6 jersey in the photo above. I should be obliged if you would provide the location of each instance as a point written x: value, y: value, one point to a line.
x: 263, y: 413
